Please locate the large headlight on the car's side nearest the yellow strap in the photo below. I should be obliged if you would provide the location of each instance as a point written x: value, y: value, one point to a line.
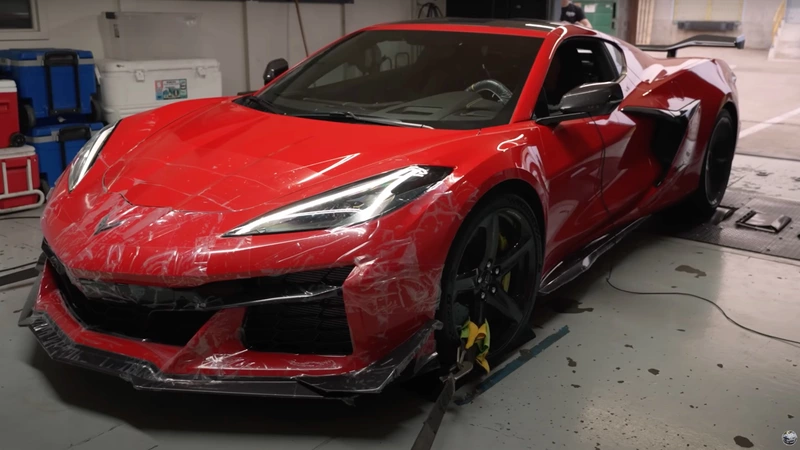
x: 348, y: 205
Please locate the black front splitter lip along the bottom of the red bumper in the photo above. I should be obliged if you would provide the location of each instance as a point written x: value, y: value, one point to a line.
x: 145, y: 375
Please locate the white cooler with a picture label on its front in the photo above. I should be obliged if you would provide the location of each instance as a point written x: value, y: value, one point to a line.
x: 130, y: 87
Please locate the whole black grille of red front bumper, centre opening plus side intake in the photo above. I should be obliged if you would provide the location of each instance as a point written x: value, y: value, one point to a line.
x: 173, y: 316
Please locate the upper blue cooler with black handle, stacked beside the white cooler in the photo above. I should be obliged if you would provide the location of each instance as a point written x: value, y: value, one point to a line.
x: 51, y: 83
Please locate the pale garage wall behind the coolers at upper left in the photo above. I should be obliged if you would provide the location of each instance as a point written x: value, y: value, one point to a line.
x: 242, y: 35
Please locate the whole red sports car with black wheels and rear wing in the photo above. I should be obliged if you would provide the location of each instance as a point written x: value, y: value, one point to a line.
x: 334, y: 230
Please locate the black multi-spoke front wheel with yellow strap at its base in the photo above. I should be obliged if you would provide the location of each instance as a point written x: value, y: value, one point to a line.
x: 516, y: 232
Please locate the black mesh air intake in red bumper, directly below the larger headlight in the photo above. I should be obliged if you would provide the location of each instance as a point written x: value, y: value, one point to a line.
x: 317, y: 328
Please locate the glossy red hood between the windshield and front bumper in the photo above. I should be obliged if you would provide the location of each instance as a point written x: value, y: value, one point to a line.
x: 229, y: 158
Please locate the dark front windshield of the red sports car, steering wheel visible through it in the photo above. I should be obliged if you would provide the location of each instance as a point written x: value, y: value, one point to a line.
x: 450, y: 80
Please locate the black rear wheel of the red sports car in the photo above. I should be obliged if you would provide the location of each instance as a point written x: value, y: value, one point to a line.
x: 715, y: 173
